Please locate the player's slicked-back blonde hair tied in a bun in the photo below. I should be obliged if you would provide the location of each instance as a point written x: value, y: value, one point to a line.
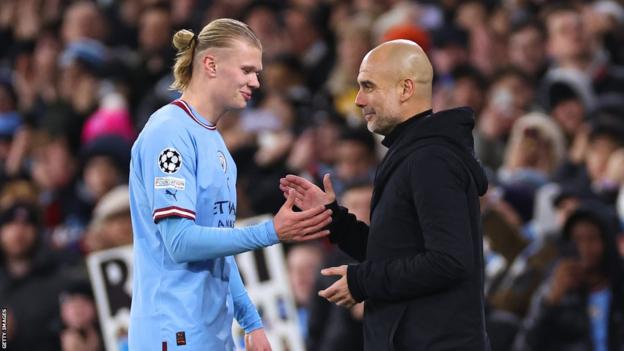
x: 219, y: 33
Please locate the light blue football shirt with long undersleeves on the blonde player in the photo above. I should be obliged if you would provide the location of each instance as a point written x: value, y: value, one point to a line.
x: 186, y: 287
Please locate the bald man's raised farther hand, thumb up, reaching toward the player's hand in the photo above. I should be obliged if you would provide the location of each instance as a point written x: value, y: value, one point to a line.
x: 307, y: 194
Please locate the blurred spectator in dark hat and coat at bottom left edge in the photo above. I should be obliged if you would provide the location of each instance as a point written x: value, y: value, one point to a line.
x: 29, y: 280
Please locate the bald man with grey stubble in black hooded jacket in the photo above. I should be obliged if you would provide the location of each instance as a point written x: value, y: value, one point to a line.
x: 421, y: 259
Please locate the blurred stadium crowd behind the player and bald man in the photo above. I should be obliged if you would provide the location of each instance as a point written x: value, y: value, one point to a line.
x: 79, y: 79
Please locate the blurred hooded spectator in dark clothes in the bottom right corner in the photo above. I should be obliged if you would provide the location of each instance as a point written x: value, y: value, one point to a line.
x: 580, y: 305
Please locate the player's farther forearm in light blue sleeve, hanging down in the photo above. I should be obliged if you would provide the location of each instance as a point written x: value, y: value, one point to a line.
x: 244, y: 310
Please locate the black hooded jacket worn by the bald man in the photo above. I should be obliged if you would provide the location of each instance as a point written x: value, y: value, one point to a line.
x: 421, y: 270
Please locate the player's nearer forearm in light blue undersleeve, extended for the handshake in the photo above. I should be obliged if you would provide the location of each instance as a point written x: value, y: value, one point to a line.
x: 188, y: 242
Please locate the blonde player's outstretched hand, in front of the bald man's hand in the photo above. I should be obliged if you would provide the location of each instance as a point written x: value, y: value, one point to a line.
x: 301, y: 226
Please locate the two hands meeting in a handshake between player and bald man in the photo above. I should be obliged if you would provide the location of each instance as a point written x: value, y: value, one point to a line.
x: 308, y: 224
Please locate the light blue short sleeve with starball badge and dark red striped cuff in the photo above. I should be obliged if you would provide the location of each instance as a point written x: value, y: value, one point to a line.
x: 171, y: 172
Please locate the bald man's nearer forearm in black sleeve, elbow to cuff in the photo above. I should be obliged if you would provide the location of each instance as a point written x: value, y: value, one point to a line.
x: 405, y: 278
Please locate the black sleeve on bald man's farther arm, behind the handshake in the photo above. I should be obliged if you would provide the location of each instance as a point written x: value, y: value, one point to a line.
x: 350, y: 234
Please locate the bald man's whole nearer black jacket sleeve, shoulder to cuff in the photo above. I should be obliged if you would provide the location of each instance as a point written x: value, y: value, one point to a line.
x: 438, y: 185
